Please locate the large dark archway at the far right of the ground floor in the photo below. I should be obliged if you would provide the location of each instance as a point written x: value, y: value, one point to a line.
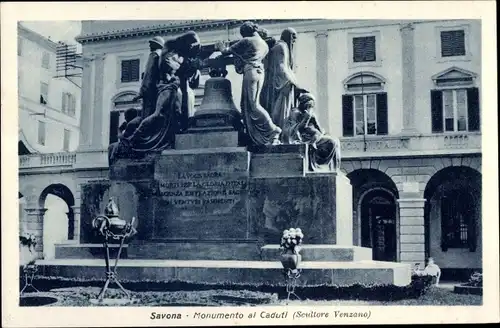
x: 452, y: 218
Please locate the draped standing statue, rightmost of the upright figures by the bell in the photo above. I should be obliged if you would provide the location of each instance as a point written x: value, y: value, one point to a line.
x: 278, y: 93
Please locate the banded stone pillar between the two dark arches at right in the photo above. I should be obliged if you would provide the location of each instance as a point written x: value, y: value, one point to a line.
x: 412, y: 230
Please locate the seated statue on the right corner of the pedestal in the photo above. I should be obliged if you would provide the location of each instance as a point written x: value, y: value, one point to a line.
x: 303, y: 127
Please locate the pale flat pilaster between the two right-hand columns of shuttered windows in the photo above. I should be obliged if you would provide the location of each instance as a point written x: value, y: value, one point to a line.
x: 408, y: 78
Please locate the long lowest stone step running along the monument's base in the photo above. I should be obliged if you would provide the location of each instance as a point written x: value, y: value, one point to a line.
x: 235, y: 272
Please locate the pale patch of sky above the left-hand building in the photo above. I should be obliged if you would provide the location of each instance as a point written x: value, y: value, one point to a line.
x: 65, y: 31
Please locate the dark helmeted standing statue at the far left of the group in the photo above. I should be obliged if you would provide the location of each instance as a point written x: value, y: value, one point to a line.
x: 149, y: 90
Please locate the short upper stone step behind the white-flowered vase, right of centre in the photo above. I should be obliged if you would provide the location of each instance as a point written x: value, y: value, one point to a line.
x: 319, y: 252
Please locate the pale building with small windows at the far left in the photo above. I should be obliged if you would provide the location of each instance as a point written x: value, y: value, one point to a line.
x: 49, y: 107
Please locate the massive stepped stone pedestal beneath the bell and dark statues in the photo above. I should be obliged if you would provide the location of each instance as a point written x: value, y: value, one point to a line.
x: 217, y: 214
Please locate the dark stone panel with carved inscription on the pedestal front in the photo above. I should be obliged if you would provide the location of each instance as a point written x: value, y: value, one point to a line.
x: 202, y: 196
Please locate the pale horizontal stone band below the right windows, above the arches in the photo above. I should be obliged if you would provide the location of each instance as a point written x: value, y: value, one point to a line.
x: 411, y: 145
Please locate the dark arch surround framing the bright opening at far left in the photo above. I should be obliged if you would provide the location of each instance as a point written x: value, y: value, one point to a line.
x: 63, y: 192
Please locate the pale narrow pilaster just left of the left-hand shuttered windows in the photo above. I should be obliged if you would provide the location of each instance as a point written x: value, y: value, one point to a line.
x: 97, y: 124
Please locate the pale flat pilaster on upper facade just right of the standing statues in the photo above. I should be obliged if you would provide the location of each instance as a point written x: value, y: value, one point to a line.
x: 322, y: 85
